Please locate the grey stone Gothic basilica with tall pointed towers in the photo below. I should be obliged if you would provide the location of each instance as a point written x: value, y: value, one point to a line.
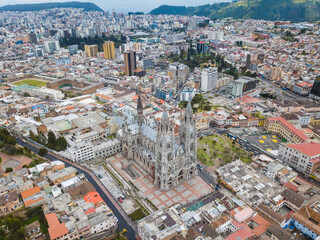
x: 170, y: 160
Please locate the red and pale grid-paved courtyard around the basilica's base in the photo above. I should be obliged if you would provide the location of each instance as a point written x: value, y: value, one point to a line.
x: 188, y: 191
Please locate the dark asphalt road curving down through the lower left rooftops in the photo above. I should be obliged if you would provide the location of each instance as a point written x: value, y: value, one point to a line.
x: 123, y: 224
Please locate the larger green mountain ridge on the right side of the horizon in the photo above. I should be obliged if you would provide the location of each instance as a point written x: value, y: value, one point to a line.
x: 275, y: 10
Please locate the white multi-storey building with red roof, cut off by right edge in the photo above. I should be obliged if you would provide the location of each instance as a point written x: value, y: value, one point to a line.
x: 303, y: 157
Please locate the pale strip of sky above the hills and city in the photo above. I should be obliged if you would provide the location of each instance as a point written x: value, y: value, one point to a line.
x: 124, y: 5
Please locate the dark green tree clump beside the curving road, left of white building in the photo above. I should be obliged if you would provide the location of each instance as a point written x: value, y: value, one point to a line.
x: 58, y: 144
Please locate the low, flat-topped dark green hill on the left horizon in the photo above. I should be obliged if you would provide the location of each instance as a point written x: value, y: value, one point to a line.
x: 87, y: 6
